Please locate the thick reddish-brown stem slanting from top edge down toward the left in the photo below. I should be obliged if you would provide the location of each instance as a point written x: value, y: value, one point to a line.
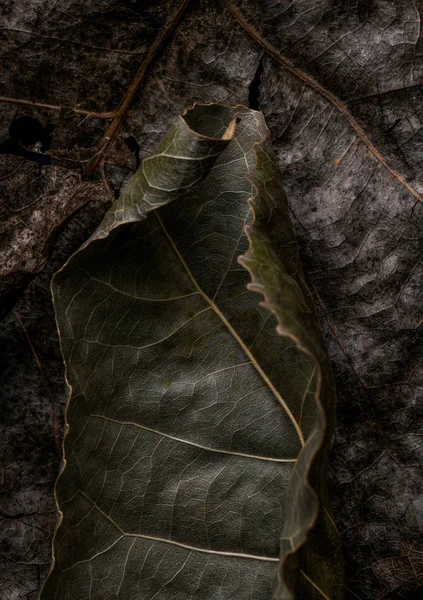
x: 120, y: 114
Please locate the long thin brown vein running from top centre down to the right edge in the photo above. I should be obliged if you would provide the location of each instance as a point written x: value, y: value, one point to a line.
x: 339, y: 105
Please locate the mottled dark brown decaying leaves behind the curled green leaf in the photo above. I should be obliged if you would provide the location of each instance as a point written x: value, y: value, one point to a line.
x: 347, y: 130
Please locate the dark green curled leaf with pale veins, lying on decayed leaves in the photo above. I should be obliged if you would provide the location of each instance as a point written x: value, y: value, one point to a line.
x: 201, y: 399
